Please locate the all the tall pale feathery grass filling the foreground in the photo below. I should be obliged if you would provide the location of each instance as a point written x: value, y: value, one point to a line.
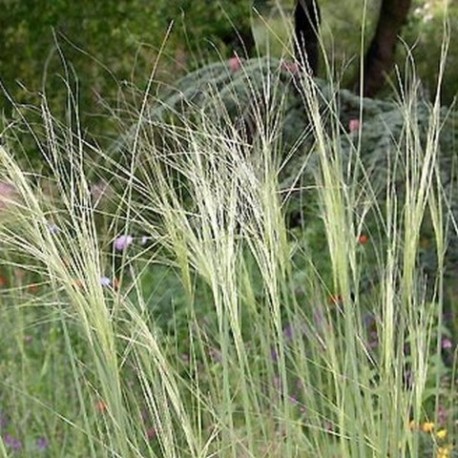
x: 273, y: 367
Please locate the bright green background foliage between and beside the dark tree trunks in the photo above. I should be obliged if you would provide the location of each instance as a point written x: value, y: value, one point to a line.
x: 341, y: 36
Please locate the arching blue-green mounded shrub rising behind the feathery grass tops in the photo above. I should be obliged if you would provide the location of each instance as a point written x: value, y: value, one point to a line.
x: 250, y: 97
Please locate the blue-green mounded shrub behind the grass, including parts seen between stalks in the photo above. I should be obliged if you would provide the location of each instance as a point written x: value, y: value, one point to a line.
x: 269, y: 95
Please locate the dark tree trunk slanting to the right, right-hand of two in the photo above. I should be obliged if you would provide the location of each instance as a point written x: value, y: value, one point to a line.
x: 379, y: 58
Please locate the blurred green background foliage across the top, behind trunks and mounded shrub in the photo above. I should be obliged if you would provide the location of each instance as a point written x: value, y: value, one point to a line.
x: 104, y: 52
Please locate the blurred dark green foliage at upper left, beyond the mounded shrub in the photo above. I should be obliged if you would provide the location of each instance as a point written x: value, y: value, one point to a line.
x: 89, y: 55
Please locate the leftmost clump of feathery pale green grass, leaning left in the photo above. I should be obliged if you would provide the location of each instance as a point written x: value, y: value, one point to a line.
x: 88, y: 317
